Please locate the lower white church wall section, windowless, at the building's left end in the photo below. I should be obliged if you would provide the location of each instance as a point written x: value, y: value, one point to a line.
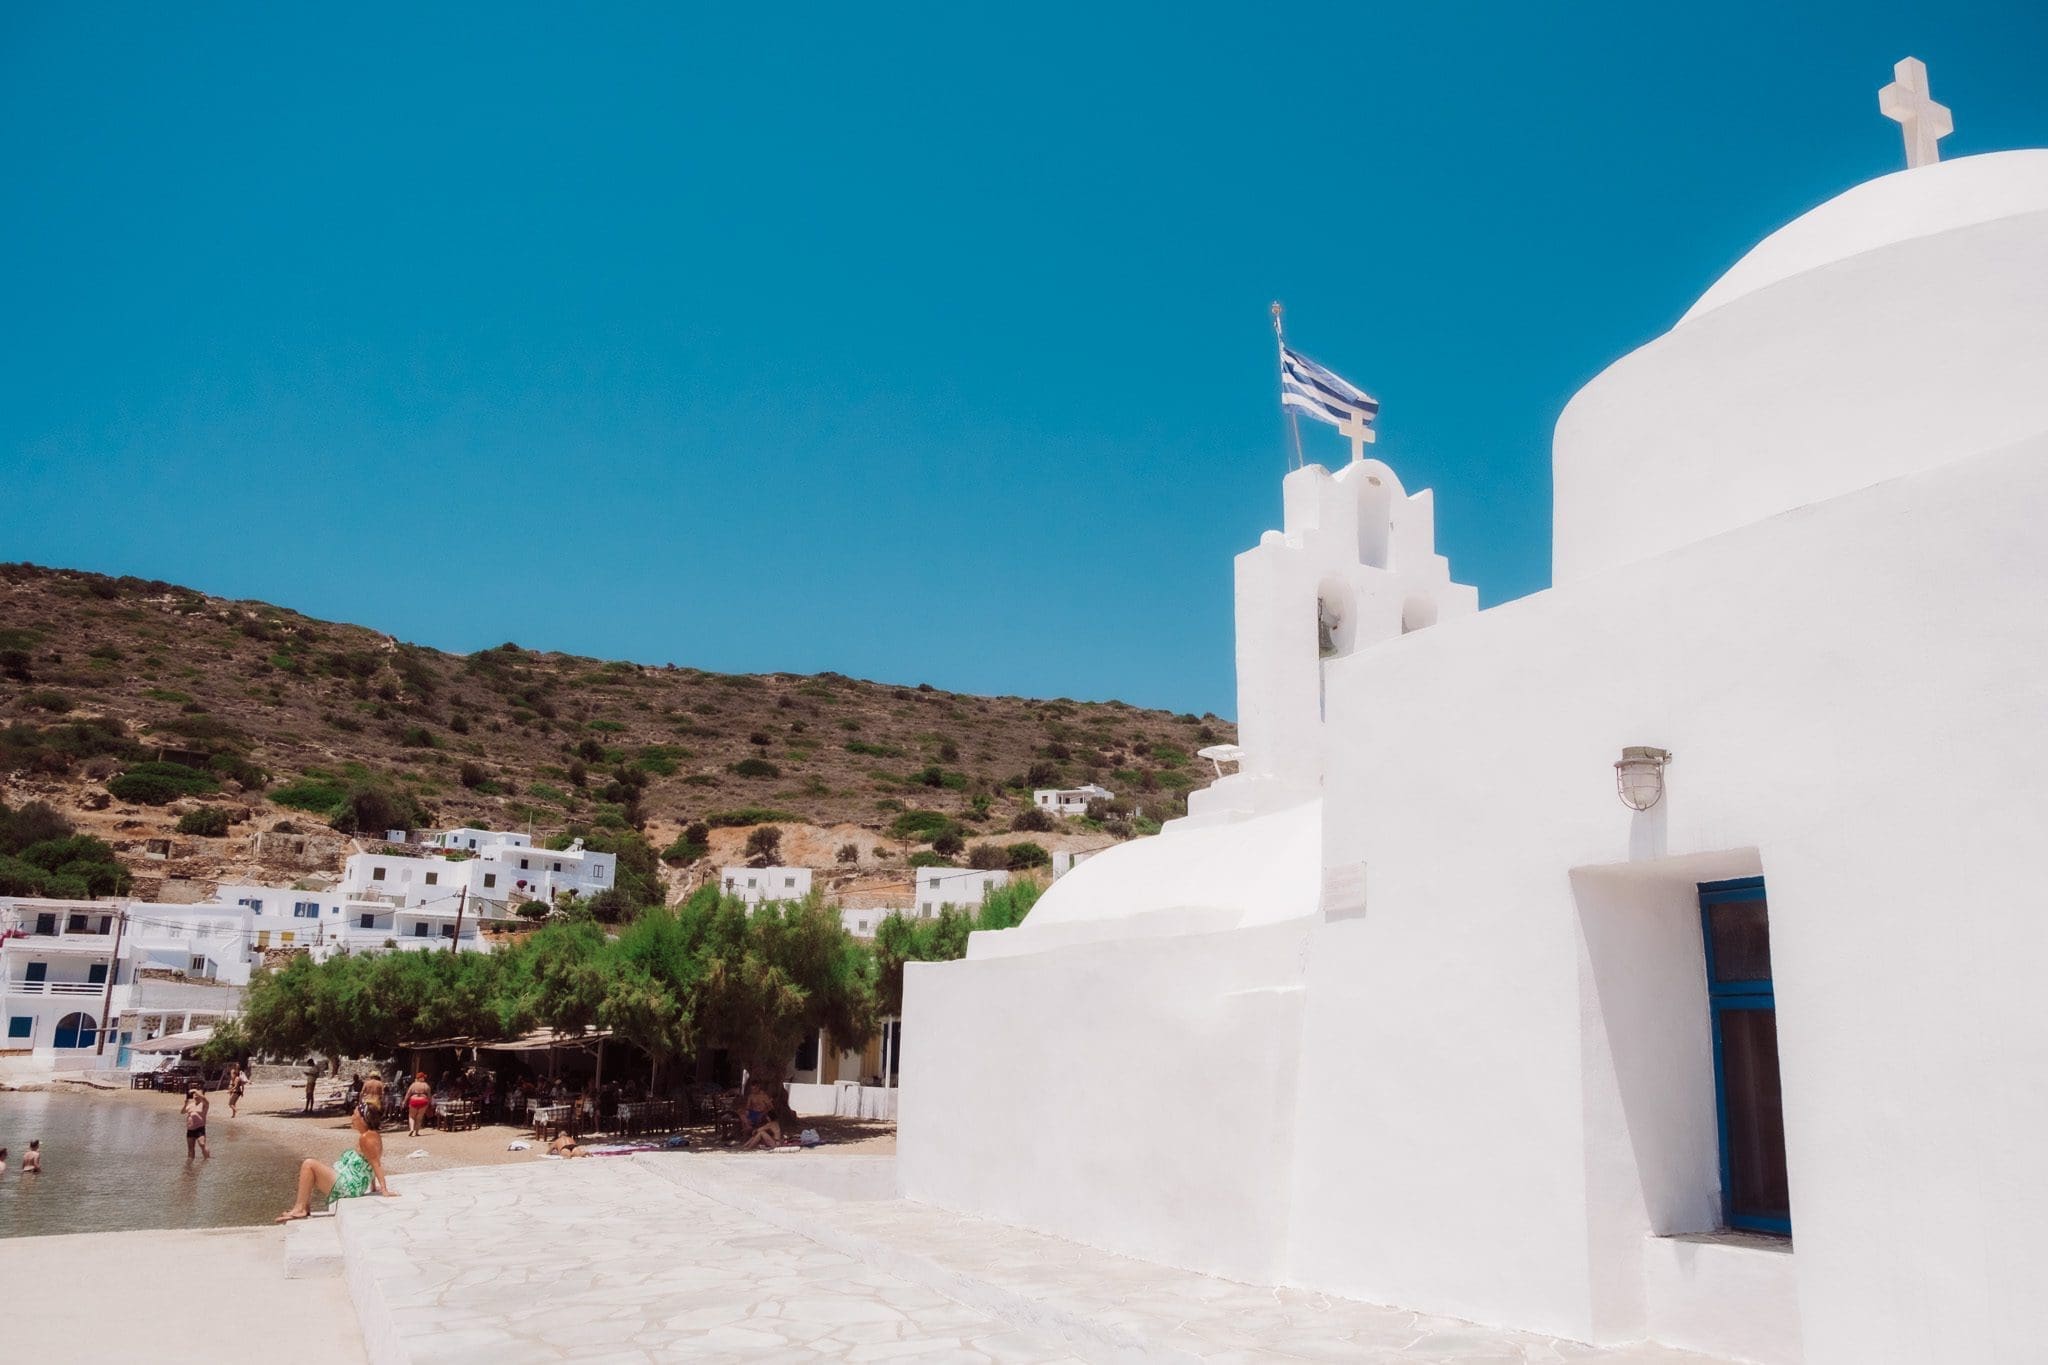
x: 1097, y: 1092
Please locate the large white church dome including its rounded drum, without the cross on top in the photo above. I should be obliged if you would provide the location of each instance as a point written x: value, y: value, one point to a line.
x: 1893, y: 331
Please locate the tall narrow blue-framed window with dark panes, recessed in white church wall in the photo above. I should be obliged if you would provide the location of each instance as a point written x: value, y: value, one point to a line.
x: 1750, y: 1100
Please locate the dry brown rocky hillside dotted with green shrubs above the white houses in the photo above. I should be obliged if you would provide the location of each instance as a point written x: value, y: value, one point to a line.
x: 132, y: 705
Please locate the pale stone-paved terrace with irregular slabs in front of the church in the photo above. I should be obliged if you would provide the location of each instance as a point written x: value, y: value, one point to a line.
x: 812, y: 1258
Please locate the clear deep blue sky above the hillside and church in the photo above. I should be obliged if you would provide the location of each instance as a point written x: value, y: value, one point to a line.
x: 916, y: 343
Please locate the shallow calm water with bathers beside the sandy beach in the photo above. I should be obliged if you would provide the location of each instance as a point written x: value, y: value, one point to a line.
x: 114, y: 1165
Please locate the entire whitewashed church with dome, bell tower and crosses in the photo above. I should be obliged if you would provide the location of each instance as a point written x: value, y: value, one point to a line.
x: 1654, y: 959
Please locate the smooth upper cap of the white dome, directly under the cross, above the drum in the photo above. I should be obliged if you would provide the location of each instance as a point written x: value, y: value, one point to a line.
x: 1885, y: 212
